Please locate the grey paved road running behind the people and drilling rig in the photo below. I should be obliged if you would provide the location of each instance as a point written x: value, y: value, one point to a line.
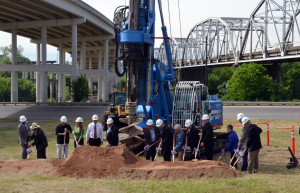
x: 40, y: 113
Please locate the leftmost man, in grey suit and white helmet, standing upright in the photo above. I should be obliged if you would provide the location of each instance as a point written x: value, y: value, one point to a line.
x: 24, y: 135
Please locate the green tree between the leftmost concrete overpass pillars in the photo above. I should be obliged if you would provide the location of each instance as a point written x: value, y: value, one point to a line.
x: 26, y: 91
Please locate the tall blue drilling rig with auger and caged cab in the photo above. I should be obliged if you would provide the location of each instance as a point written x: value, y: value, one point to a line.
x: 149, y: 81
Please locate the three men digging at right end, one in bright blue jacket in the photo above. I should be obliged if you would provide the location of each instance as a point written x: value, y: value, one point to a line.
x: 249, y: 144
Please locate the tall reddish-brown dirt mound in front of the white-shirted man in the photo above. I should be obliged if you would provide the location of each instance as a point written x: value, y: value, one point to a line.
x: 88, y: 161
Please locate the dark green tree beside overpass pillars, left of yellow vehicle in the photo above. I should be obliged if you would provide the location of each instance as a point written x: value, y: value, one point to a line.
x: 80, y: 89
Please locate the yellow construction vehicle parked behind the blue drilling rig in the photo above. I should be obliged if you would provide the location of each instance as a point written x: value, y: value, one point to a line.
x: 116, y: 110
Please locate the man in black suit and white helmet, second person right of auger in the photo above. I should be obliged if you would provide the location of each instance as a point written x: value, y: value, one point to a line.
x: 167, y: 139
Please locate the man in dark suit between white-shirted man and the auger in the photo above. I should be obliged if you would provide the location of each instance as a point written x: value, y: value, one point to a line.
x: 112, y: 135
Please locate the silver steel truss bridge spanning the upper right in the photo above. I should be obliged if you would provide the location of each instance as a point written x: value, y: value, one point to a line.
x: 270, y: 35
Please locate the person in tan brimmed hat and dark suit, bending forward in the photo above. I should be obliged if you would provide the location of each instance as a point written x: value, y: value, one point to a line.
x: 40, y: 141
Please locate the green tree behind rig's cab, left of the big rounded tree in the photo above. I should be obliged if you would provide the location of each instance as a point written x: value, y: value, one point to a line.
x: 219, y: 76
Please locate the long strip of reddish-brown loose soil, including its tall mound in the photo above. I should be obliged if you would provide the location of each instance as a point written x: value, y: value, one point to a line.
x: 95, y: 162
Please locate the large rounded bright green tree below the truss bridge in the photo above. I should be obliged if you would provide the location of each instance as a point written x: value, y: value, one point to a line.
x: 250, y: 82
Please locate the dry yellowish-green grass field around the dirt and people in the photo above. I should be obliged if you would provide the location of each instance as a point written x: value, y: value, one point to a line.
x: 272, y: 177
